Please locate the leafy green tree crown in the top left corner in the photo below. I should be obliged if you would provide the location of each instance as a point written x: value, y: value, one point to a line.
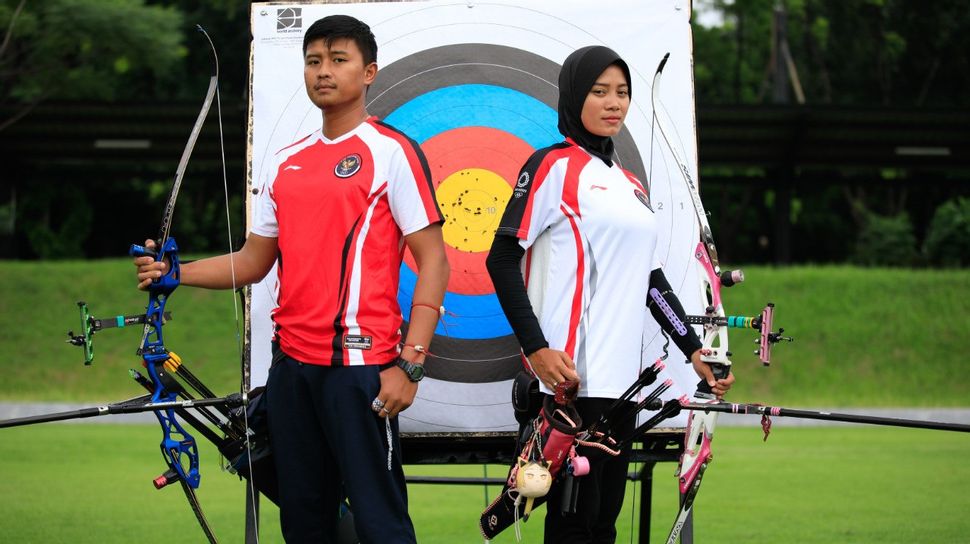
x: 87, y: 49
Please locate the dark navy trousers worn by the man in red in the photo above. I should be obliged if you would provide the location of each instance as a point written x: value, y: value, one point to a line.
x: 328, y: 444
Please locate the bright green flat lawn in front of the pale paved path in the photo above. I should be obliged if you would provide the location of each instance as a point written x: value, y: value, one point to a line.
x: 91, y: 483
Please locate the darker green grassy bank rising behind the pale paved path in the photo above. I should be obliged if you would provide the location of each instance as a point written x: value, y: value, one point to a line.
x: 863, y: 337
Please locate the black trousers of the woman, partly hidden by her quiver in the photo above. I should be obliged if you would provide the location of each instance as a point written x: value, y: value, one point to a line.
x: 601, y: 492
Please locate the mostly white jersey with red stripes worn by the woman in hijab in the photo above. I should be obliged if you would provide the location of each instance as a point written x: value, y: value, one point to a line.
x: 590, y: 237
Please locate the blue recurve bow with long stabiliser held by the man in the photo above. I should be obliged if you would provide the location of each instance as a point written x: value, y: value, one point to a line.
x: 179, y: 448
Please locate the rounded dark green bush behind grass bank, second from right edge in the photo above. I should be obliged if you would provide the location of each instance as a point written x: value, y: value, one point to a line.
x: 886, y: 241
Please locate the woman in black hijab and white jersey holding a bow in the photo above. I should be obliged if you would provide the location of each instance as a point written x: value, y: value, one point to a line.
x: 592, y: 238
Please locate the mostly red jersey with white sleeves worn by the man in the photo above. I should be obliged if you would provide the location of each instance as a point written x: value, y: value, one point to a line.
x: 340, y: 209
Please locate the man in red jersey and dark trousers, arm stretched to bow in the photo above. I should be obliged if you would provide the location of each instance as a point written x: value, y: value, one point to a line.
x: 342, y: 204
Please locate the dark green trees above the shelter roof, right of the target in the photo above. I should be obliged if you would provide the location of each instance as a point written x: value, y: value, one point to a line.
x: 861, y: 53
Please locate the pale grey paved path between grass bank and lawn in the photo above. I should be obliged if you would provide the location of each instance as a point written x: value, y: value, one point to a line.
x: 949, y: 415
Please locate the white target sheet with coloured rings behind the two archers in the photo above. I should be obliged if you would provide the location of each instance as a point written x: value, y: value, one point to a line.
x: 474, y: 83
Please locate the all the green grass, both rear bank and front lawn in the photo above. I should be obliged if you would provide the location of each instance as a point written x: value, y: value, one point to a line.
x: 864, y: 337
